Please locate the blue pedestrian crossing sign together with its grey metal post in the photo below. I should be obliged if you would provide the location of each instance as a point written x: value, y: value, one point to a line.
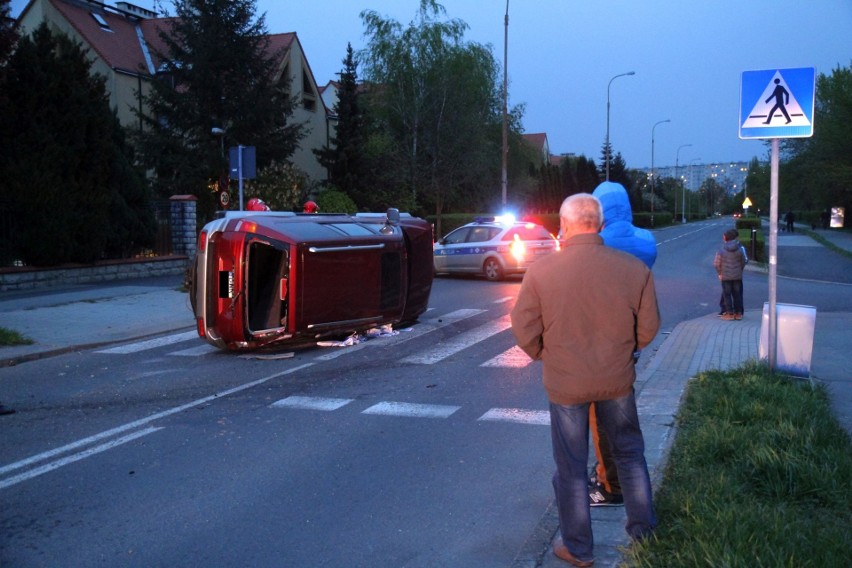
x: 776, y: 103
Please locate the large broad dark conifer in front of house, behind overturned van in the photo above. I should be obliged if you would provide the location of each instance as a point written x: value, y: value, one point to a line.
x: 216, y: 71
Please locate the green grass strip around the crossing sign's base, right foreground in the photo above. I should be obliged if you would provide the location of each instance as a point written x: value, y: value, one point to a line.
x: 760, y: 474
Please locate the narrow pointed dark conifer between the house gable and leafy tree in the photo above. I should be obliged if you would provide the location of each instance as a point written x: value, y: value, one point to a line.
x: 344, y: 156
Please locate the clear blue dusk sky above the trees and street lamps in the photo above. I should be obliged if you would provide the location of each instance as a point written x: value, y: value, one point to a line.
x: 688, y: 58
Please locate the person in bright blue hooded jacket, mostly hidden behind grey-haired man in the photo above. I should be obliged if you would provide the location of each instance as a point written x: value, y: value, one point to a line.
x: 618, y: 232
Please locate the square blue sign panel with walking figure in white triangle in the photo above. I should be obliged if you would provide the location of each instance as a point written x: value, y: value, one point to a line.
x: 777, y: 103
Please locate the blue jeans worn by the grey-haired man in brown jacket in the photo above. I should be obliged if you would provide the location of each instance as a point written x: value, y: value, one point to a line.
x: 569, y: 426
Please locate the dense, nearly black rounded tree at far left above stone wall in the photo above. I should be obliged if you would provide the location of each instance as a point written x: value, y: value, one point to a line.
x: 66, y: 169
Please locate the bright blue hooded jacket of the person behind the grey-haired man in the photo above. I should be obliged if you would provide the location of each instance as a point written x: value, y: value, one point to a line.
x: 619, y: 231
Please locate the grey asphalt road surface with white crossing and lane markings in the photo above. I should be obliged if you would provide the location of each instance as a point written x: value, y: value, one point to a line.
x: 427, y: 448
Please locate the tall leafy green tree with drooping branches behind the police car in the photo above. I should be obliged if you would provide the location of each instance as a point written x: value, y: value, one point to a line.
x: 435, y: 105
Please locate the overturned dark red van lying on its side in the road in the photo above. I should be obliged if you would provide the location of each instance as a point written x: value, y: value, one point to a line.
x: 265, y: 277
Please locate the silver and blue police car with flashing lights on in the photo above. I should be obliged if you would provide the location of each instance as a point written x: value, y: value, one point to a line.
x: 493, y: 247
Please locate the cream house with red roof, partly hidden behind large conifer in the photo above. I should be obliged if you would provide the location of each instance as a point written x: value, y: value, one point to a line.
x: 123, y: 39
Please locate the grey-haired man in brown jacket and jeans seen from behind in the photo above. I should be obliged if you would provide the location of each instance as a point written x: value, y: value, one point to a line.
x: 584, y: 313
